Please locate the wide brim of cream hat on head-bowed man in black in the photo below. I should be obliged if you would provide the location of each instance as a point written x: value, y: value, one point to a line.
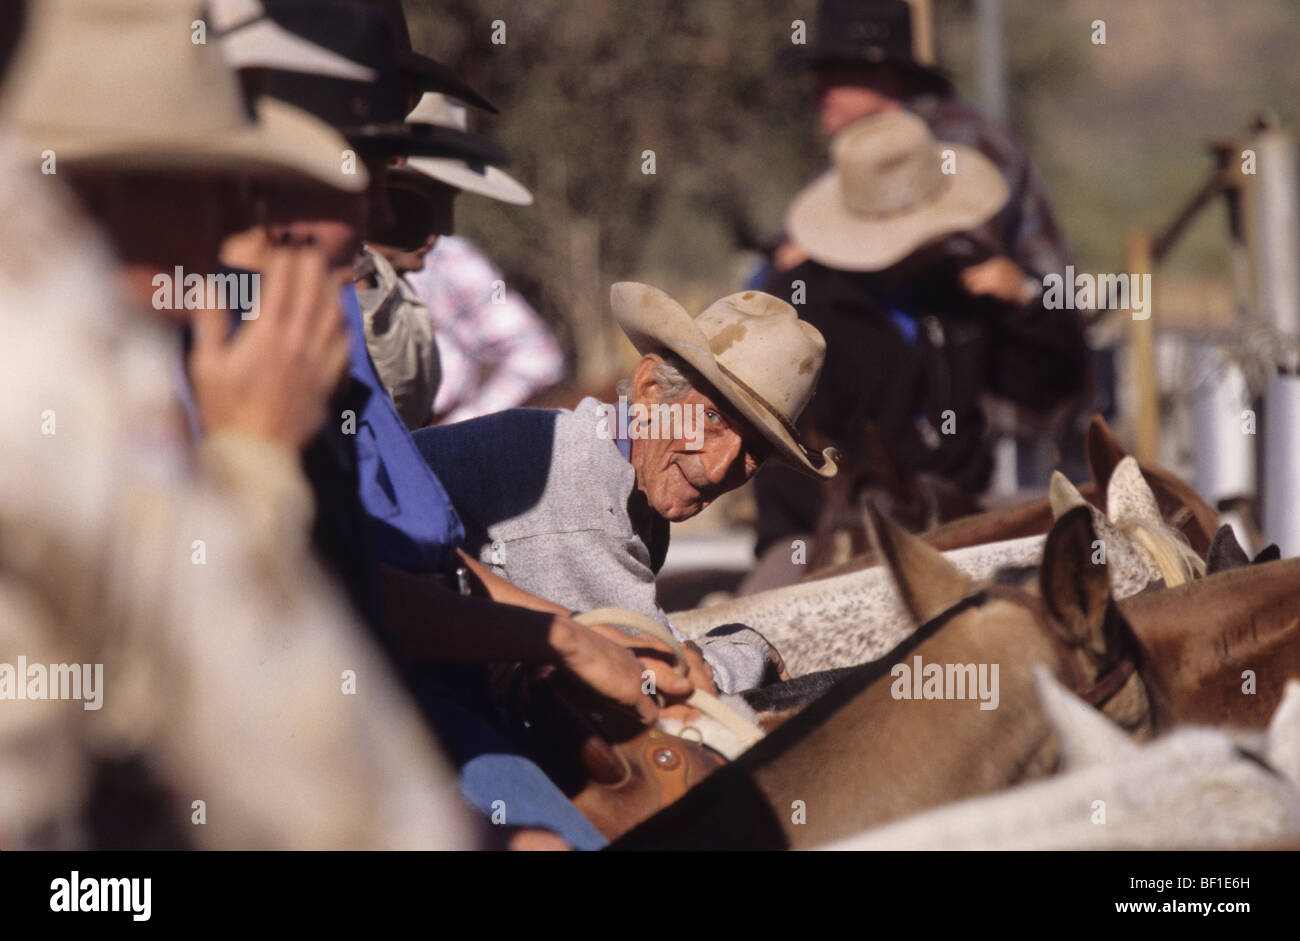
x: 834, y: 236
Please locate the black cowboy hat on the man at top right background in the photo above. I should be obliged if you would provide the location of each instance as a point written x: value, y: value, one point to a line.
x: 866, y: 33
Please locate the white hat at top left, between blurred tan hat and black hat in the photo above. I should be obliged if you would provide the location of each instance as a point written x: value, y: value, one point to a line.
x: 252, y: 40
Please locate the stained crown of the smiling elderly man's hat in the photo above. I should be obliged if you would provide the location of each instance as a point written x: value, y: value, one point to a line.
x: 762, y: 344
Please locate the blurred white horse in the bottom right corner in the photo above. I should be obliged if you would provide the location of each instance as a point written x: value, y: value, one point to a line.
x: 1195, y: 788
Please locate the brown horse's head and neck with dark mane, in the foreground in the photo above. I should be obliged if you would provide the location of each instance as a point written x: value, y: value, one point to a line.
x: 870, y: 752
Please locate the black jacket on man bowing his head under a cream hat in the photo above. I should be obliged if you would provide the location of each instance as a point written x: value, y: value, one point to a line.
x: 912, y: 370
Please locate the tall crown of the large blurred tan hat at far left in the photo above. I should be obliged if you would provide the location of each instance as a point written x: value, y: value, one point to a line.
x: 81, y: 76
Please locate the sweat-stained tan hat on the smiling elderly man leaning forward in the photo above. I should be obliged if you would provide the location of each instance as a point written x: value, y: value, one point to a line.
x: 752, y: 348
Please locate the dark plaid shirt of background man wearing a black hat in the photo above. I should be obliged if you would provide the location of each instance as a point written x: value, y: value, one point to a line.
x: 1026, y: 229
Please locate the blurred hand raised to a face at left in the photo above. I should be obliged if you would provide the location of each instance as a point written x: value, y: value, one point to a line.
x: 275, y: 378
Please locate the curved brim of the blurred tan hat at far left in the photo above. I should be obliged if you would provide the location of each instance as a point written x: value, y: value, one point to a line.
x: 287, y: 144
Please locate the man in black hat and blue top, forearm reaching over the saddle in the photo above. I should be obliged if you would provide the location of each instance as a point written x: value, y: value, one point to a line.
x: 385, y: 527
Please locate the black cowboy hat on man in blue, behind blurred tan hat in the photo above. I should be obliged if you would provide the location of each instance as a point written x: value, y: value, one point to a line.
x: 371, y: 115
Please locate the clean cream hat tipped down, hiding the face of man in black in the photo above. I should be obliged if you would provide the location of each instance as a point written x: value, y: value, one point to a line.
x: 887, y: 194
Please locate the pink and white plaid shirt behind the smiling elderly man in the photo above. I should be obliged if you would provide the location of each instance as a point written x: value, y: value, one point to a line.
x: 483, y: 327
